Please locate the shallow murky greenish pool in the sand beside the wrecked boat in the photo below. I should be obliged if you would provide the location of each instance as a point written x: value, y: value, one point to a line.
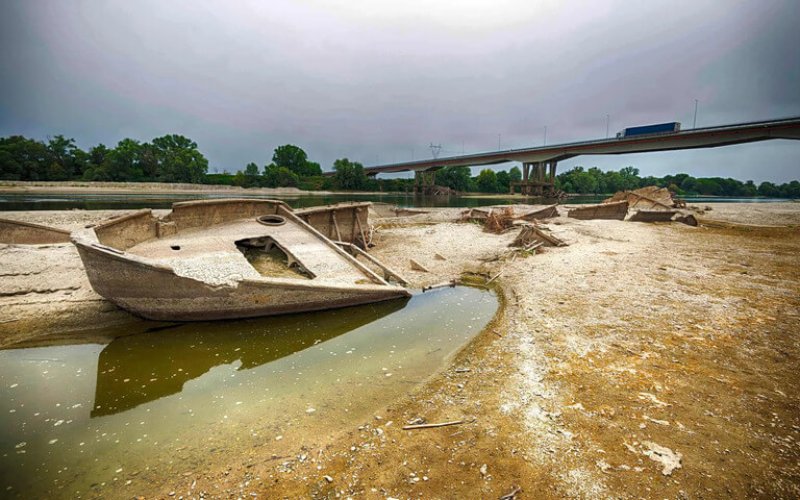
x: 158, y: 399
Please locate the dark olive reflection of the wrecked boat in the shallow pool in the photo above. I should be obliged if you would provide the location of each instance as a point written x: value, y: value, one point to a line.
x: 136, y: 369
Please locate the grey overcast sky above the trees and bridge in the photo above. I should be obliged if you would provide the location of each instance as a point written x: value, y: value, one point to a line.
x: 379, y: 81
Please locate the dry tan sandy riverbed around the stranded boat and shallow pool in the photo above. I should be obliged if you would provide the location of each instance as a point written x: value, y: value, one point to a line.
x: 642, y: 360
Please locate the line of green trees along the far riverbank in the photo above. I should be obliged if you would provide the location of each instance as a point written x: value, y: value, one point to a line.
x: 175, y: 158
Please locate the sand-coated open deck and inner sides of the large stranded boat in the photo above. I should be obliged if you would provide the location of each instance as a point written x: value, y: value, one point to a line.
x: 220, y: 241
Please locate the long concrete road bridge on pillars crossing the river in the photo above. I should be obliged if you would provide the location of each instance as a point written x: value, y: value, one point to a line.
x: 539, y: 163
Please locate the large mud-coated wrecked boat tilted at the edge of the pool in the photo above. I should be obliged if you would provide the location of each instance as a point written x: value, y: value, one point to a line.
x: 222, y: 259
